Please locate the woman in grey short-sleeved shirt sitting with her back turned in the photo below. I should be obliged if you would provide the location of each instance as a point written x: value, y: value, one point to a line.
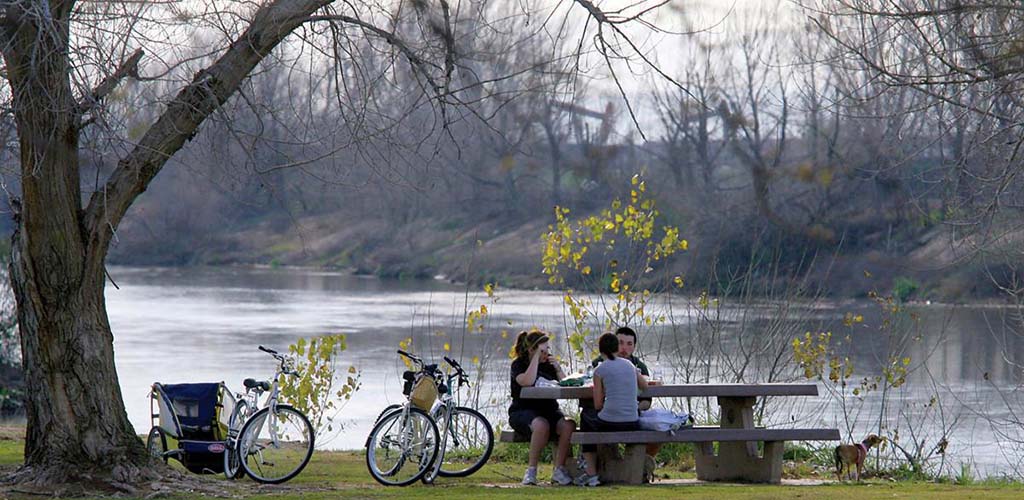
x: 617, y: 383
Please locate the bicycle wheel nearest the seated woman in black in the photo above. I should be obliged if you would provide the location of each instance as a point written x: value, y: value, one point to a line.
x: 471, y: 441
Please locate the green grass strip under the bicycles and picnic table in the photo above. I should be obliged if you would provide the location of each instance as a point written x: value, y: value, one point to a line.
x: 344, y: 475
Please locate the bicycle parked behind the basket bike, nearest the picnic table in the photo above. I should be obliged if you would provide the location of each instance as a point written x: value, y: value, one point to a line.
x: 467, y: 438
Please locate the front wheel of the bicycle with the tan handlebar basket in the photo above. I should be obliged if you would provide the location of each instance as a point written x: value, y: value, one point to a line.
x: 402, y: 447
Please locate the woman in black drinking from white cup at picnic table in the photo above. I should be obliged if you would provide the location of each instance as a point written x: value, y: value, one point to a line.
x: 538, y: 419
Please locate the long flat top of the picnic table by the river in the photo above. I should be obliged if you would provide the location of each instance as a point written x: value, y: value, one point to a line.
x: 682, y: 391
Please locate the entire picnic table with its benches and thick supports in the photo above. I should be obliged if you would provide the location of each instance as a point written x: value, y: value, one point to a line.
x: 738, y: 438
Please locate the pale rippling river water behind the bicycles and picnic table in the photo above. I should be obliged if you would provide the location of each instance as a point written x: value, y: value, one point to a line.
x: 204, y: 324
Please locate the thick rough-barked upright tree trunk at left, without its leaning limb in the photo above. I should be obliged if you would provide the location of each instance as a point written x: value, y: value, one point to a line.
x: 76, y: 416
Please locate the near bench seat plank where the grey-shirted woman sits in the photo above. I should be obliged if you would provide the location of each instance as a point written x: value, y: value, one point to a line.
x: 705, y: 435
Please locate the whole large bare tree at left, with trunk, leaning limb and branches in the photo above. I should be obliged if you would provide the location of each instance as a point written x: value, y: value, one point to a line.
x: 66, y: 60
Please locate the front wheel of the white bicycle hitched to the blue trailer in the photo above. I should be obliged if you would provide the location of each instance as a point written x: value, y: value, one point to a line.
x: 273, y: 448
